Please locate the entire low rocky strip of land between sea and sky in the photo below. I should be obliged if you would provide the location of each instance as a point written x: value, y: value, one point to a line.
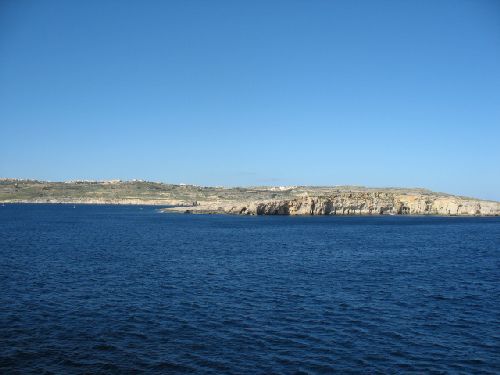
x: 258, y: 200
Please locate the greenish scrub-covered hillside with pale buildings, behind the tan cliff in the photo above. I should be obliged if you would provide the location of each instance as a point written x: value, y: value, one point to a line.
x: 154, y: 192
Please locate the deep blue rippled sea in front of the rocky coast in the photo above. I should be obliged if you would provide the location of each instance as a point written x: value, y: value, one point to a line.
x: 126, y: 289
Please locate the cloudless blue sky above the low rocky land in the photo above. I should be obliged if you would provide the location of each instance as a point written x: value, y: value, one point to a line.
x: 377, y: 93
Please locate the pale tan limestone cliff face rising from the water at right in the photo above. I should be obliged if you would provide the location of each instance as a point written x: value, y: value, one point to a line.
x: 369, y: 203
